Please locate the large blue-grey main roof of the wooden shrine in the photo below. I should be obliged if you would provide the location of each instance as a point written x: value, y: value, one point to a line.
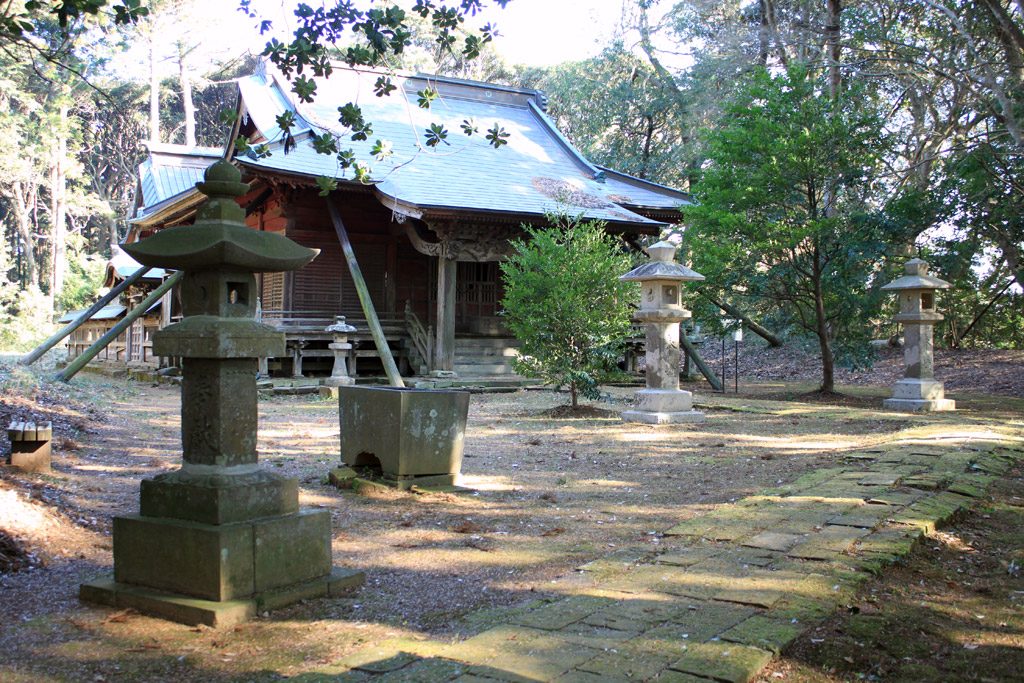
x: 537, y: 173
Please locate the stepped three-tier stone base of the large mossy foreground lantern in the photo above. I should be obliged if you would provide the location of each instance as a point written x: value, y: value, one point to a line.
x: 244, y: 550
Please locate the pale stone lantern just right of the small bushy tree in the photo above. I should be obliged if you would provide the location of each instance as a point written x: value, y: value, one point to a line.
x: 662, y: 310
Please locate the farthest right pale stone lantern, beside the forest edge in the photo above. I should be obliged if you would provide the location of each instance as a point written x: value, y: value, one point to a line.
x: 918, y: 392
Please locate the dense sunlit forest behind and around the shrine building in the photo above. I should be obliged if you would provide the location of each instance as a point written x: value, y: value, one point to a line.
x: 924, y: 102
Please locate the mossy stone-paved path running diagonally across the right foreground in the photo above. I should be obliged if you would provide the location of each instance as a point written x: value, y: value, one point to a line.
x: 724, y: 592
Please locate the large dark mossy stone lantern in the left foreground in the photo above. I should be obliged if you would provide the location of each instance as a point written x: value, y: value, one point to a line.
x: 220, y: 540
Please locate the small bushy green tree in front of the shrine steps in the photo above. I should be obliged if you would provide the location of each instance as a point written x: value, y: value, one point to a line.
x: 565, y: 303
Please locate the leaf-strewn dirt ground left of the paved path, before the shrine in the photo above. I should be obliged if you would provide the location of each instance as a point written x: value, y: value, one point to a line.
x: 550, y: 495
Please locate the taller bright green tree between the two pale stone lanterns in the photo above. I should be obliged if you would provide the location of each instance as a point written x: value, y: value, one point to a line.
x: 785, y: 217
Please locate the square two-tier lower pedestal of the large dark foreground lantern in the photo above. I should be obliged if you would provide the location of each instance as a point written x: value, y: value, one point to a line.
x: 220, y: 575
